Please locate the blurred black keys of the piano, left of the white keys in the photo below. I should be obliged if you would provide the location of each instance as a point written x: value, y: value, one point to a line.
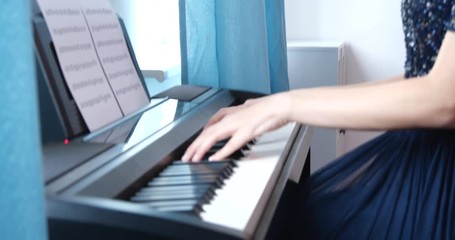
x: 182, y: 187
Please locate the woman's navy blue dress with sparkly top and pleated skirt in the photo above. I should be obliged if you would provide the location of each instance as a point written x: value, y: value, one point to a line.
x: 401, y: 184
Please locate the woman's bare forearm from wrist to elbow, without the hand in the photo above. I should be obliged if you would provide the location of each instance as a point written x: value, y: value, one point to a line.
x: 388, y: 105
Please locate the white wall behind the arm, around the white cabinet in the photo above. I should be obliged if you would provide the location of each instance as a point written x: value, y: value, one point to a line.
x: 371, y: 29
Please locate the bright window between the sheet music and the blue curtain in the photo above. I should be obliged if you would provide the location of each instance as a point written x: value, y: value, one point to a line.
x: 153, y: 27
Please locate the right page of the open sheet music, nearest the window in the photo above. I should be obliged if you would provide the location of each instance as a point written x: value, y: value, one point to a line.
x: 114, y: 55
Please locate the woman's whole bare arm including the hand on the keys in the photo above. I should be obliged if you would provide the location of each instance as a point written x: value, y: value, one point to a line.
x: 422, y: 102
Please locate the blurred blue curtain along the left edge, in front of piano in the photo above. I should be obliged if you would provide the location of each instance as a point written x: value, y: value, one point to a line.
x: 21, y: 189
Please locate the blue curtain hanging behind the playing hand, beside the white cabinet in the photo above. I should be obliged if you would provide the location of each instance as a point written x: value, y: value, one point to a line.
x: 234, y: 44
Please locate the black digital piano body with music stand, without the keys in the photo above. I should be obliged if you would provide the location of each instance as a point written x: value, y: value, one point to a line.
x: 90, y: 176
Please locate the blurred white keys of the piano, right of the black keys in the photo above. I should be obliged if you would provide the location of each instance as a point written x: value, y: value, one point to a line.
x: 242, y: 197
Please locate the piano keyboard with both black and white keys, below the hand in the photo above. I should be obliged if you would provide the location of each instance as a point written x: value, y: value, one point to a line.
x: 230, y: 193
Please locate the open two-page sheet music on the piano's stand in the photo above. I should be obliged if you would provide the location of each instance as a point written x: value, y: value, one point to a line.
x: 94, y: 59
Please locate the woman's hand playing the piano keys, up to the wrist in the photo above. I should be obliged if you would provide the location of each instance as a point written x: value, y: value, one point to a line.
x: 239, y: 123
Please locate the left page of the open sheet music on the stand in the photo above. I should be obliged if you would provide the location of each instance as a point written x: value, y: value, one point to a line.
x: 79, y: 62
